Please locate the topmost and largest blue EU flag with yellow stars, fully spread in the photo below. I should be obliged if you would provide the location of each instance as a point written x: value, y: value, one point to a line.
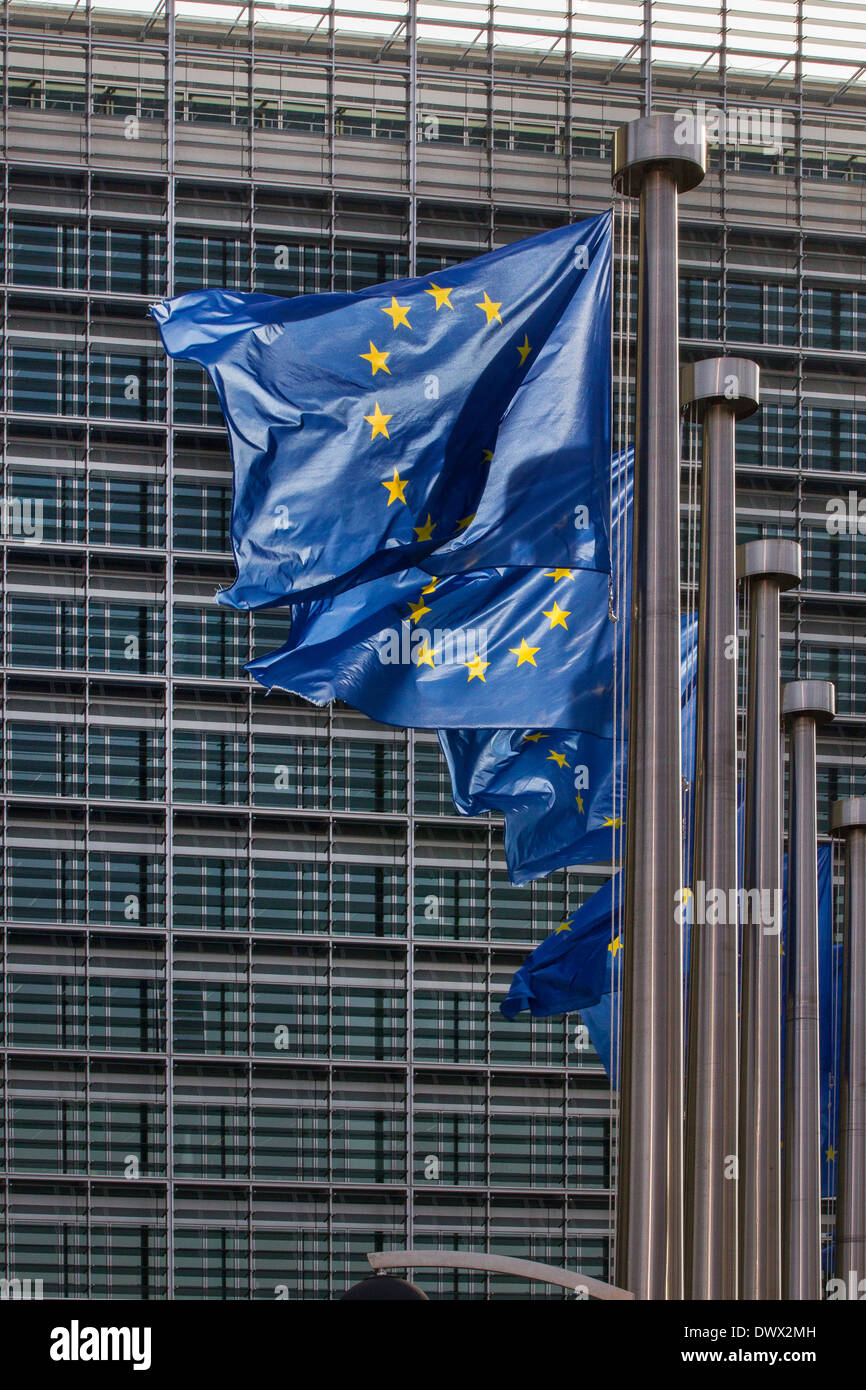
x: 465, y: 414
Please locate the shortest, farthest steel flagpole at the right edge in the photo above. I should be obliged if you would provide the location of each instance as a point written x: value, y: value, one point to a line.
x: 850, y: 819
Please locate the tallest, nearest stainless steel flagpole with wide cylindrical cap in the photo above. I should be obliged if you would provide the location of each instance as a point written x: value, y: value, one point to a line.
x: 655, y: 158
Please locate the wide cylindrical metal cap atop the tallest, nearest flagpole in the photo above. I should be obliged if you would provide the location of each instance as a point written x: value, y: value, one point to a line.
x: 676, y: 142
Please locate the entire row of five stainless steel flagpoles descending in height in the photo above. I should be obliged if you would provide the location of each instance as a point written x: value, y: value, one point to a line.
x: 711, y: 1204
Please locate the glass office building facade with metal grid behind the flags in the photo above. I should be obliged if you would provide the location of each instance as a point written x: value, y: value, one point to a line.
x: 252, y: 957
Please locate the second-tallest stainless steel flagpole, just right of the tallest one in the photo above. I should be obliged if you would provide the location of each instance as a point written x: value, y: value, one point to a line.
x: 722, y: 390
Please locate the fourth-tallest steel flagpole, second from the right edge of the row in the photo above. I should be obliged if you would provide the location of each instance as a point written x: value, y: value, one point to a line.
x: 806, y: 704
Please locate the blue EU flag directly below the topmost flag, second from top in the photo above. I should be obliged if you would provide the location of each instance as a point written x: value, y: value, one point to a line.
x: 509, y: 647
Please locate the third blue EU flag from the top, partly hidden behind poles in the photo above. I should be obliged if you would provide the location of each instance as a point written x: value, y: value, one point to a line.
x: 558, y: 790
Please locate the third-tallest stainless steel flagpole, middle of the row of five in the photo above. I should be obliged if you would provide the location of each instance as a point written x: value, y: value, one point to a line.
x: 769, y: 566
